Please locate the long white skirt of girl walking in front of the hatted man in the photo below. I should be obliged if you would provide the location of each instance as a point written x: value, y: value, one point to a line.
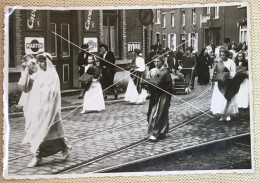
x: 93, y: 98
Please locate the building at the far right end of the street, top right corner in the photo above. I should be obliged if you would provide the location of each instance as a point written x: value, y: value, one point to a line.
x: 225, y: 24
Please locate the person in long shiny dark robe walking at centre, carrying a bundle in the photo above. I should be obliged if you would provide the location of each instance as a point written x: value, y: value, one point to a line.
x: 160, y: 85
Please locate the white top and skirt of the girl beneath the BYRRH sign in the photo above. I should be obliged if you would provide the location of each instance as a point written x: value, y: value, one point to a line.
x: 132, y: 94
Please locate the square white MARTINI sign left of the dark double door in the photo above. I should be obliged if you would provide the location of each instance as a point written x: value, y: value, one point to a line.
x: 34, y: 45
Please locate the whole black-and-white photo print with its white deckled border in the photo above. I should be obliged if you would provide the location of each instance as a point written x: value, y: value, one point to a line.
x: 118, y: 91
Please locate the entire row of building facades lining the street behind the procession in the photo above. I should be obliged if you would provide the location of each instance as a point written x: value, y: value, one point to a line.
x: 62, y: 32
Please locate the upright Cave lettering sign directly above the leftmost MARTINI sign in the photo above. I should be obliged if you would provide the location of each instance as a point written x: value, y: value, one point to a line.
x: 34, y: 20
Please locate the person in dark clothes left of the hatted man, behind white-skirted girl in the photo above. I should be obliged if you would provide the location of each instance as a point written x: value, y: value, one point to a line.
x: 82, y: 62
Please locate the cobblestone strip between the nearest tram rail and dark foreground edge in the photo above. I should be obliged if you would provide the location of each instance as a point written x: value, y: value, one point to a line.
x: 201, y: 131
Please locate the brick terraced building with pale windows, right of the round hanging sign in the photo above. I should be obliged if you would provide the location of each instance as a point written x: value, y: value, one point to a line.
x: 174, y: 28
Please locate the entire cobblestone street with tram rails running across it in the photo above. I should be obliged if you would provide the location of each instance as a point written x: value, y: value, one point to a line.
x: 122, y: 125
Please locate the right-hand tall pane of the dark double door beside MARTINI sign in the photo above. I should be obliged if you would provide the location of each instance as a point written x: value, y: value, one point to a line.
x: 65, y: 45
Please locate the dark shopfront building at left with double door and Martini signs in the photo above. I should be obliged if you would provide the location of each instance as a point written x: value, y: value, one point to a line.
x: 62, y: 33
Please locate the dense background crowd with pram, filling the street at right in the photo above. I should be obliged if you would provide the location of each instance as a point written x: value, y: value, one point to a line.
x: 193, y: 64
